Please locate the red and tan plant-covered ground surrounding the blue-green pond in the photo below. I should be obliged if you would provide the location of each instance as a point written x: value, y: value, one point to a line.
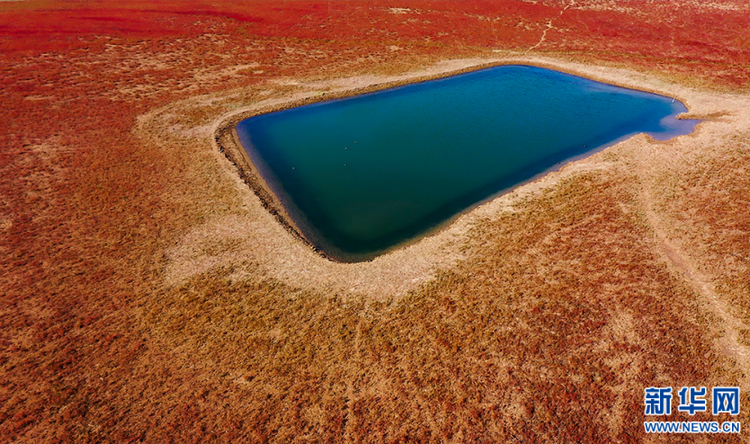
x: 147, y: 296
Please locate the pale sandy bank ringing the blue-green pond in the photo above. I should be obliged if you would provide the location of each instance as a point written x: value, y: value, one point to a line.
x: 258, y: 236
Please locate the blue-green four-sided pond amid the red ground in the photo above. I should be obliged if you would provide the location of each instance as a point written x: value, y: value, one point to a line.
x: 363, y: 174
